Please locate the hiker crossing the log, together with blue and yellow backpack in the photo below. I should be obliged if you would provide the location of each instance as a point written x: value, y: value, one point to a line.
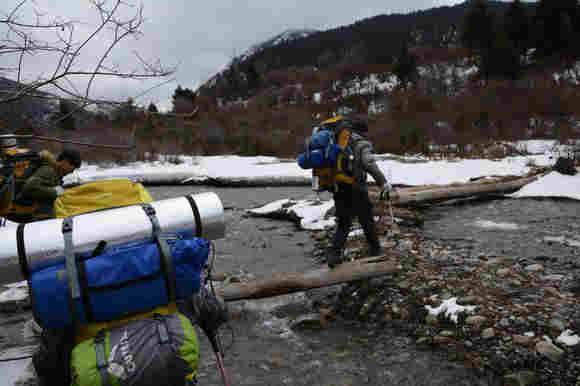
x: 340, y: 155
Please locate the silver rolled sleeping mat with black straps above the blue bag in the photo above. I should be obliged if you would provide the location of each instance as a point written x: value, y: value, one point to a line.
x: 41, y: 244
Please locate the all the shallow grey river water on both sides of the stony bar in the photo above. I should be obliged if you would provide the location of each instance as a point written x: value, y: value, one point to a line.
x: 262, y: 348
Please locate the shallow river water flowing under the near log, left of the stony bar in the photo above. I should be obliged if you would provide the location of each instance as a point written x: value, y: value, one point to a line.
x: 263, y: 350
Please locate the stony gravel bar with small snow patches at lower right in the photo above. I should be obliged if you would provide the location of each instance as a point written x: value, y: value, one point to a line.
x: 510, y: 318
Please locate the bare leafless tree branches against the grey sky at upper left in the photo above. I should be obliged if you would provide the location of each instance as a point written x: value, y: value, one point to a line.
x: 23, y: 39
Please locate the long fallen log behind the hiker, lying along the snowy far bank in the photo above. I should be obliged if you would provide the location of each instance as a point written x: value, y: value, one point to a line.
x: 448, y: 192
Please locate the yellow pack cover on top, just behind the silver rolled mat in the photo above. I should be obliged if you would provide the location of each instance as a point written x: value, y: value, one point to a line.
x: 100, y: 195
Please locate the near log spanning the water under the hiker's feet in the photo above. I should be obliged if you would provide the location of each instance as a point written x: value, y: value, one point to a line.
x: 286, y: 283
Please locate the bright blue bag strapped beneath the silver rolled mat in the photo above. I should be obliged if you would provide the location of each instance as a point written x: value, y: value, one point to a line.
x: 119, y: 281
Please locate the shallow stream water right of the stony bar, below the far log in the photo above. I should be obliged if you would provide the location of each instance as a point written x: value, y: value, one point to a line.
x: 525, y: 229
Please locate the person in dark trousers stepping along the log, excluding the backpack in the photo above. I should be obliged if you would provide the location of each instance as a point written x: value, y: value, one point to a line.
x: 353, y: 200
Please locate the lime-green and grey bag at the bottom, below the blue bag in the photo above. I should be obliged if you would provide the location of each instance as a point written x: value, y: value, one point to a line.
x: 162, y: 350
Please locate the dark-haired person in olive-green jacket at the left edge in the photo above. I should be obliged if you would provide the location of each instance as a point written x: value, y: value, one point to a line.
x: 42, y: 188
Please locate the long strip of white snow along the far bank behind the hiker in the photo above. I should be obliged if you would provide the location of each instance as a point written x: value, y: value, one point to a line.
x: 401, y: 170
